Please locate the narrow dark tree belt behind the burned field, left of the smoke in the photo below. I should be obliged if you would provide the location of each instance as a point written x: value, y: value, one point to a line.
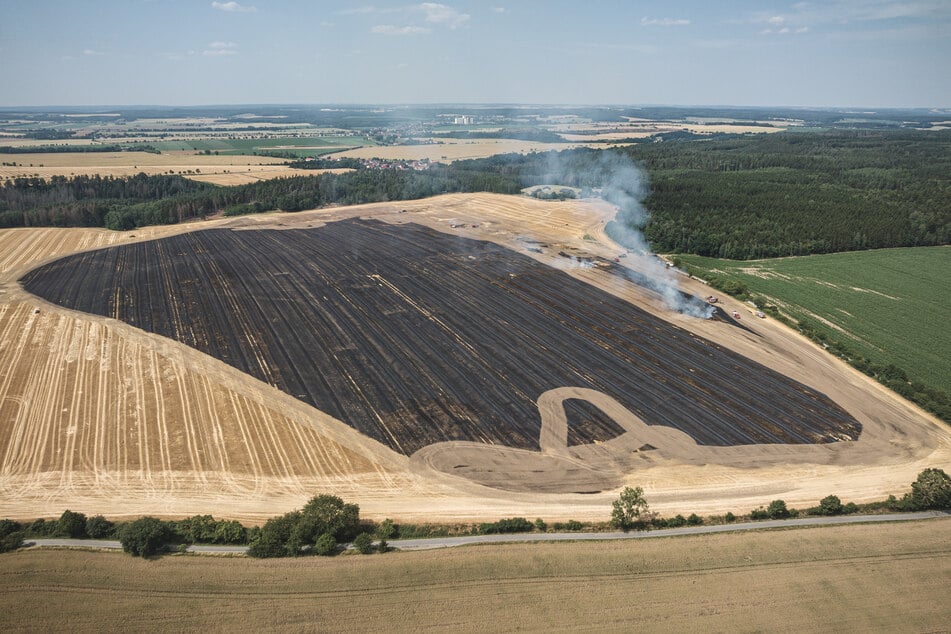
x: 126, y: 203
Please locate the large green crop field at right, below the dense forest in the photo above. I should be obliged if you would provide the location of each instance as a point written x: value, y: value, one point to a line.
x: 889, y: 305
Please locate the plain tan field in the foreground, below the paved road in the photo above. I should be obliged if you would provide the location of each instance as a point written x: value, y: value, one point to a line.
x: 861, y: 578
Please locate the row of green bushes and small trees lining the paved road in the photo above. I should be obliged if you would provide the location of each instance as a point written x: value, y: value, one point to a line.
x: 326, y: 521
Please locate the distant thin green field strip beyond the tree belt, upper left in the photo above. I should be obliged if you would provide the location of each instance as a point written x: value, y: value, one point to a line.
x: 298, y: 146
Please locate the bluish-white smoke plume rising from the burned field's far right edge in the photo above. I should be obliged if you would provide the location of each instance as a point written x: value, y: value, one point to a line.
x: 617, y: 179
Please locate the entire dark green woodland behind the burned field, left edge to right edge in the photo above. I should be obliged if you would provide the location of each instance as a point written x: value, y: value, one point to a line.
x: 756, y: 196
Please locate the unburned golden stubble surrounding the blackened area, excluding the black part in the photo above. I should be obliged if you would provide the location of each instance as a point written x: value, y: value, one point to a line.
x: 100, y: 417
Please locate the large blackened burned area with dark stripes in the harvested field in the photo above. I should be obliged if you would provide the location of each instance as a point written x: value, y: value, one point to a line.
x: 415, y: 337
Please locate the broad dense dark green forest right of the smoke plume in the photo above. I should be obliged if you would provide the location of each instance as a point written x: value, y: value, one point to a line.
x: 798, y: 194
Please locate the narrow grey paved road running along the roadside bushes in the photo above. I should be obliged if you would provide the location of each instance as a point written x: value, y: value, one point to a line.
x: 447, y: 542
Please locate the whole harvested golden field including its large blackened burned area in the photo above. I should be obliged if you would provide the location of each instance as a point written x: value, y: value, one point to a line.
x: 461, y: 357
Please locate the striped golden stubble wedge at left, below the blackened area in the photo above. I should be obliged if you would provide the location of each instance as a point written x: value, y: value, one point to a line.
x: 81, y: 403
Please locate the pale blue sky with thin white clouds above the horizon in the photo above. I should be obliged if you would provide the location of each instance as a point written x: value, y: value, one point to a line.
x: 826, y: 53
